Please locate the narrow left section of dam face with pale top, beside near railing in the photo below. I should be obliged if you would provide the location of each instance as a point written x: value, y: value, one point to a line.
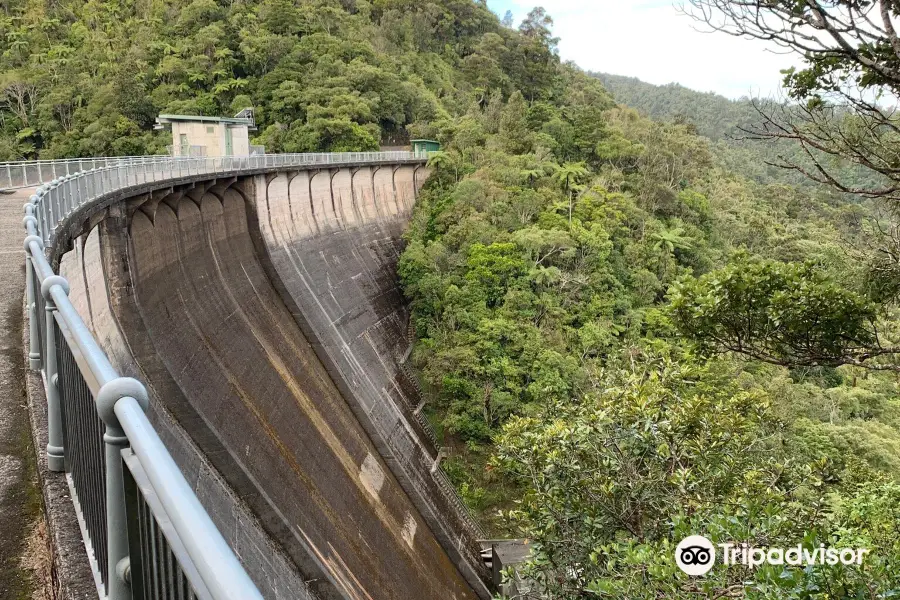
x: 101, y: 291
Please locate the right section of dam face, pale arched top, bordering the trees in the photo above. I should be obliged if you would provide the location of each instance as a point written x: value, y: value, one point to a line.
x: 333, y: 251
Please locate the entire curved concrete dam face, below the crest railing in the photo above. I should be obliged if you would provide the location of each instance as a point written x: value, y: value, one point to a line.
x: 263, y: 313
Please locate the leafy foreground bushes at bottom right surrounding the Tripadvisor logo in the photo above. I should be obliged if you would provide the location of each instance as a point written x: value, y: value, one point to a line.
x: 668, y: 449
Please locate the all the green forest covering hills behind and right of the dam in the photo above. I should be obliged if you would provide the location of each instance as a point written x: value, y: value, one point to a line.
x: 629, y: 327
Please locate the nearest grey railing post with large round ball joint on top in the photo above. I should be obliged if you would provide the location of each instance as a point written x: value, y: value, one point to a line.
x: 118, y: 562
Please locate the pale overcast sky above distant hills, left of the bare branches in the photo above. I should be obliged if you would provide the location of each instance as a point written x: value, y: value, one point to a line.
x: 650, y: 40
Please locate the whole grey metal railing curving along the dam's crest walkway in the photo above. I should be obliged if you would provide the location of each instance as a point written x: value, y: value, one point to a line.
x: 146, y: 533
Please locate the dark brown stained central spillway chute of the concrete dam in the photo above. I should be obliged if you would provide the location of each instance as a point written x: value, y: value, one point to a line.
x: 243, y: 364
